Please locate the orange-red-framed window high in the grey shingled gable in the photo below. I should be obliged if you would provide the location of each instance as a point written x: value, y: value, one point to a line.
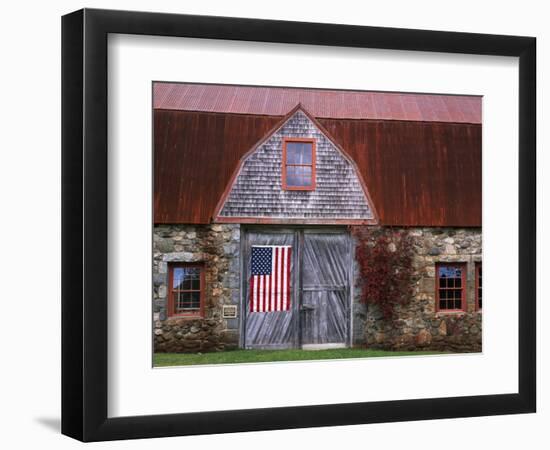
x: 299, y: 164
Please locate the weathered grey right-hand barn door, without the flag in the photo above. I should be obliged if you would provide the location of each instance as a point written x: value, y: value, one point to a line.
x: 325, y: 290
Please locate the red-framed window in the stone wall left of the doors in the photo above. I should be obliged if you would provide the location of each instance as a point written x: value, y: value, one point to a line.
x: 186, y: 290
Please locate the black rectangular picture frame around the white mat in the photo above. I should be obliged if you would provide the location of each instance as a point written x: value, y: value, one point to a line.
x: 84, y: 224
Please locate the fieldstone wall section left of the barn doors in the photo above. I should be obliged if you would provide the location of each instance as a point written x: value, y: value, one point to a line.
x: 218, y: 248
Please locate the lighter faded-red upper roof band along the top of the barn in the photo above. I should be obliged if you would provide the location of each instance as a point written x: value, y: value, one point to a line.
x: 329, y: 104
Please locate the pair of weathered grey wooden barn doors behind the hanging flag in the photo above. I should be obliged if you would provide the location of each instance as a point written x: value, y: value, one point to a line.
x: 319, y: 312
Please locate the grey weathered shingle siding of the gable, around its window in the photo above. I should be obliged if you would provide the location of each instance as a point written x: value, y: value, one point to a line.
x: 257, y: 190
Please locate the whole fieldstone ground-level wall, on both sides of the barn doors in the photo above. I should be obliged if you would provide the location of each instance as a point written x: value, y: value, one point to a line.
x: 418, y: 327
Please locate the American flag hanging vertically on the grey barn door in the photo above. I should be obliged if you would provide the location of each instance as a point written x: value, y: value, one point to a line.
x: 270, y: 278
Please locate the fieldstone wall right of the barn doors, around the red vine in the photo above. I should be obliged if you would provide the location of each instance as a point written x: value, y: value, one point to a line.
x: 418, y: 326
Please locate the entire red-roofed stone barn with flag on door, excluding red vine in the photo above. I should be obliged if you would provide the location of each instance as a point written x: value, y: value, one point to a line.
x: 261, y: 195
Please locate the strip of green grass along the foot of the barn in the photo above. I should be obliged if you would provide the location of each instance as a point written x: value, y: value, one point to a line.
x: 255, y: 356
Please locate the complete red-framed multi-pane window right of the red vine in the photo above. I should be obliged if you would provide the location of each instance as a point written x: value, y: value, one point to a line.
x: 451, y: 287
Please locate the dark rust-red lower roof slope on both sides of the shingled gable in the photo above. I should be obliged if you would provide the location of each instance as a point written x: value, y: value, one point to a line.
x: 417, y: 173
